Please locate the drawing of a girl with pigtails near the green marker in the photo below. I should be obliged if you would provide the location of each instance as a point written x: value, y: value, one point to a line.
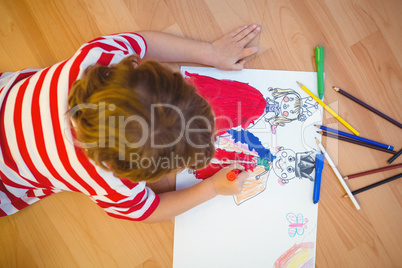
x: 286, y: 106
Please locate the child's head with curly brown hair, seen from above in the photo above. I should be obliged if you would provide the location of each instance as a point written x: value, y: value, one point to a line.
x: 141, y: 120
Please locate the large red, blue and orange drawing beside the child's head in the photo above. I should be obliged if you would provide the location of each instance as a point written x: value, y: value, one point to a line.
x: 235, y: 104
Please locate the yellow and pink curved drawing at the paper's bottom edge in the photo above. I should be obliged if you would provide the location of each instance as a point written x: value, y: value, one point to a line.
x: 299, y: 255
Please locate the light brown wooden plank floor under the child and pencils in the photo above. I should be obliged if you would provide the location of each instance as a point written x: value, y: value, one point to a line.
x: 363, y: 45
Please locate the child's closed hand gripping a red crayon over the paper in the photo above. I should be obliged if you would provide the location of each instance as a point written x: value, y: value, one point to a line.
x: 225, y: 187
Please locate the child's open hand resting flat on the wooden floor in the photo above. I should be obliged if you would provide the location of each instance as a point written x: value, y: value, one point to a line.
x: 230, y: 51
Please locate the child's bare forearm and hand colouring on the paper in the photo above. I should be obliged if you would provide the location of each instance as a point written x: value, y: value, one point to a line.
x: 176, y: 202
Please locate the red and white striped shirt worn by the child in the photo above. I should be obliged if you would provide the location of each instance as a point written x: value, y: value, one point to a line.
x: 37, y: 155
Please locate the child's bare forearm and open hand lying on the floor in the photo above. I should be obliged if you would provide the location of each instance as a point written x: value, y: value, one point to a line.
x: 225, y: 53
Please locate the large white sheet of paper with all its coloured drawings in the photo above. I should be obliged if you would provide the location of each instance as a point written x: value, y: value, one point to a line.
x: 264, y: 127
